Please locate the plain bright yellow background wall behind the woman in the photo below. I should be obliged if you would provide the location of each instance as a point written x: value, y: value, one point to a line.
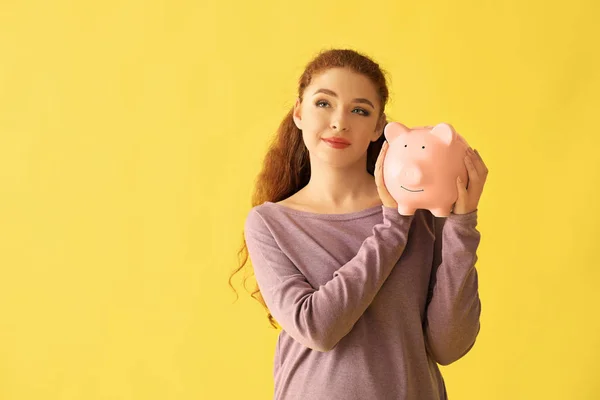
x: 130, y: 136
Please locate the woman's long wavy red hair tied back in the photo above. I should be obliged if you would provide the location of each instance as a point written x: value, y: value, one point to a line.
x: 286, y: 166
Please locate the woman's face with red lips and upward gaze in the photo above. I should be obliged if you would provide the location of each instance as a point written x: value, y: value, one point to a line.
x: 339, y: 103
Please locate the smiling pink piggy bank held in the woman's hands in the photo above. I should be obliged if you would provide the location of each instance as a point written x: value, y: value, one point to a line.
x: 421, y: 166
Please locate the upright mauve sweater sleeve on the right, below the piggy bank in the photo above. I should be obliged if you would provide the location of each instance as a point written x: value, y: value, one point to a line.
x: 452, y: 322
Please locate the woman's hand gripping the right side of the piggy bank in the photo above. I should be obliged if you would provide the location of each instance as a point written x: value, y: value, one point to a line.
x: 468, y: 197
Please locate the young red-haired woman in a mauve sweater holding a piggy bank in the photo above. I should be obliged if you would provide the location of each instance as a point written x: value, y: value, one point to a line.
x: 369, y: 301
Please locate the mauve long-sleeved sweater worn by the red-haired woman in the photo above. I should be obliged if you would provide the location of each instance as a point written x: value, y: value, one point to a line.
x: 369, y: 302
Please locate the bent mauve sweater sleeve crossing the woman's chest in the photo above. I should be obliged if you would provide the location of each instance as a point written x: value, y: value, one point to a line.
x: 320, y: 318
